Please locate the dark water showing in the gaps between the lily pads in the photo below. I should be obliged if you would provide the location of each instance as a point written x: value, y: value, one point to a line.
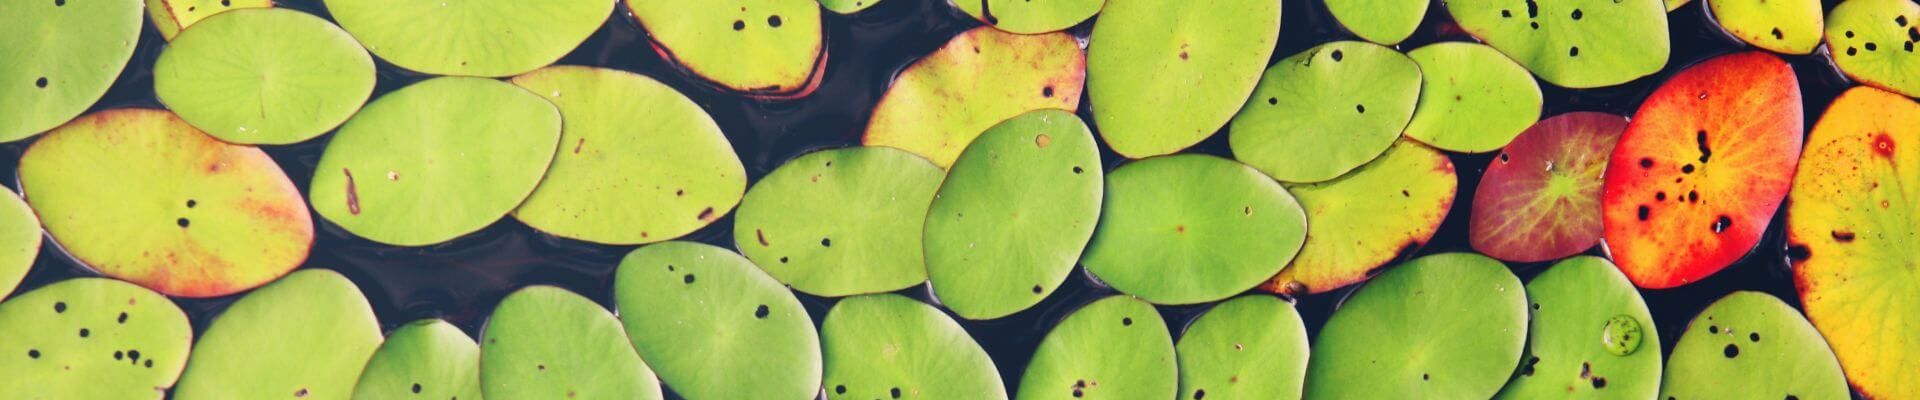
x: 462, y: 282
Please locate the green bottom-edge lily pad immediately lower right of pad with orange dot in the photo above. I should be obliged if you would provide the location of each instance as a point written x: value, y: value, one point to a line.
x: 1116, y: 347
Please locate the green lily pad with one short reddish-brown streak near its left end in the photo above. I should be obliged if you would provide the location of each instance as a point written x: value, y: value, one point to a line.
x: 437, y: 161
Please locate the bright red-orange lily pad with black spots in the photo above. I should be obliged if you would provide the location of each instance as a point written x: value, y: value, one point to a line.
x: 1702, y: 170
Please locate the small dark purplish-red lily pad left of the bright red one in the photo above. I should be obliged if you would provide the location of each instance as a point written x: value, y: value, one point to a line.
x: 1541, y: 199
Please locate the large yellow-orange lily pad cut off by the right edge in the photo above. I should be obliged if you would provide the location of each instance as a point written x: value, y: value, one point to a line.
x: 1852, y: 214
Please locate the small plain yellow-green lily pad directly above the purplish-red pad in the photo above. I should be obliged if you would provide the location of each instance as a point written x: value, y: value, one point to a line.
x: 1474, y: 99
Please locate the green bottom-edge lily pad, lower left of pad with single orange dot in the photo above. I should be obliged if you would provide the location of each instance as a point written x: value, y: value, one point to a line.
x: 894, y: 347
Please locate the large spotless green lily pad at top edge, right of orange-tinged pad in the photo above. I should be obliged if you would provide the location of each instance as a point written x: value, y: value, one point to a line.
x: 1164, y: 76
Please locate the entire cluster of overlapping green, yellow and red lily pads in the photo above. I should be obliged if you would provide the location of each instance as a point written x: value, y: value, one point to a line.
x: 978, y: 180
